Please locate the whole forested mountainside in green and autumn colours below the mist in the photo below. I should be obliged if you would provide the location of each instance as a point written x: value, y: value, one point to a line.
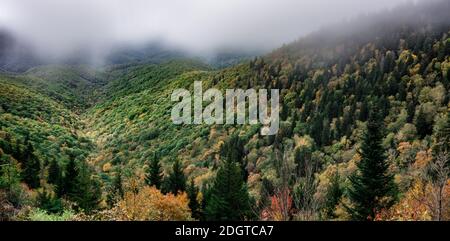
x: 364, y: 133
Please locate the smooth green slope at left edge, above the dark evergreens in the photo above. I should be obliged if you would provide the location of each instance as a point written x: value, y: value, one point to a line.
x: 48, y: 124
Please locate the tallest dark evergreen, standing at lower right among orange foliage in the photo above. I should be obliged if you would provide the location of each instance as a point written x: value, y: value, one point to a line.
x: 372, y: 187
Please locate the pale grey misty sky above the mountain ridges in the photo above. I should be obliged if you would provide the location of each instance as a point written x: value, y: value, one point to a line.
x: 61, y: 27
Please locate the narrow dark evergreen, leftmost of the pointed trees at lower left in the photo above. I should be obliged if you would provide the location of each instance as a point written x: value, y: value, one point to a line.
x: 31, y: 167
